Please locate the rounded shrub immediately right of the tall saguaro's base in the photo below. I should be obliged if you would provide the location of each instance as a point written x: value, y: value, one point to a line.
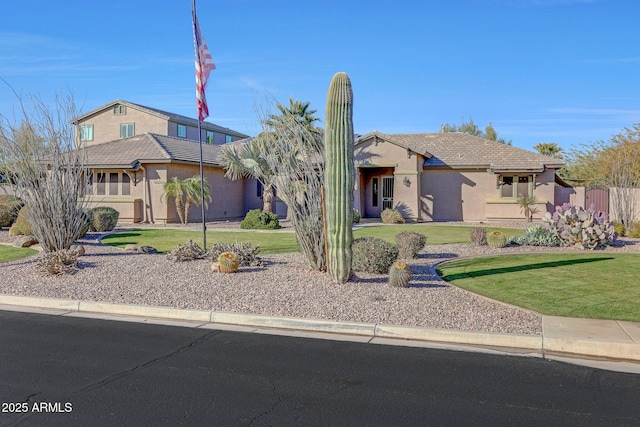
x: 373, y: 255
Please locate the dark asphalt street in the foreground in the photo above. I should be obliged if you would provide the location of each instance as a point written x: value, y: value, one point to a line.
x: 70, y: 371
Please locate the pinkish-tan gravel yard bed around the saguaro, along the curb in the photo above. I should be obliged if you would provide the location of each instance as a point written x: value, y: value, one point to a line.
x: 285, y: 287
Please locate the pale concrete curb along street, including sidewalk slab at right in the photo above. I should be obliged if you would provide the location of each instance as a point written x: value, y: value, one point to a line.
x: 577, y: 338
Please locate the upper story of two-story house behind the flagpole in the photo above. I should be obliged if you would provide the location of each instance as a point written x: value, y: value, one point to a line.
x: 122, y: 119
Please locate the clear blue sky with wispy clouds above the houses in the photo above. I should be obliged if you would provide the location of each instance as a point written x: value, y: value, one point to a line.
x: 563, y: 71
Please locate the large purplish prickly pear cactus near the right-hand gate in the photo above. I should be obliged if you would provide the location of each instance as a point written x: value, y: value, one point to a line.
x: 584, y: 229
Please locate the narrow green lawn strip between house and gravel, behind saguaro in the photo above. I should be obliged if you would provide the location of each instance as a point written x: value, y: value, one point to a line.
x: 165, y: 240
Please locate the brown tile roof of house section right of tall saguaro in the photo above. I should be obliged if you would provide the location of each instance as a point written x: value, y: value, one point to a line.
x: 460, y: 150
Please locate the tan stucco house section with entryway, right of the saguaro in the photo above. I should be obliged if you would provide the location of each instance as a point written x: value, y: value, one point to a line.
x: 450, y: 176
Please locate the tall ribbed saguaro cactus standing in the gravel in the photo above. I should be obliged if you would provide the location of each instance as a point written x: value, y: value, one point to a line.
x: 339, y: 176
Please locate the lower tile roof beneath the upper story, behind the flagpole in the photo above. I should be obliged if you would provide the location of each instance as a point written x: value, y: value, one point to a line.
x: 150, y: 148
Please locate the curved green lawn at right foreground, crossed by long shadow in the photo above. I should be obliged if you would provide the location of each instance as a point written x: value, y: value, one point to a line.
x: 588, y: 285
